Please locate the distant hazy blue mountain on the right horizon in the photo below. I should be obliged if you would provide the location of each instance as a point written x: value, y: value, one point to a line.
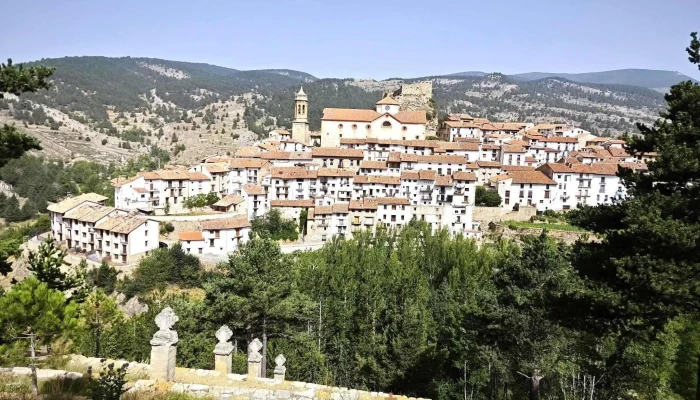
x: 648, y: 78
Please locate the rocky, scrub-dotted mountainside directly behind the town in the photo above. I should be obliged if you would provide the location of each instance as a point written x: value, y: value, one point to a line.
x: 107, y: 109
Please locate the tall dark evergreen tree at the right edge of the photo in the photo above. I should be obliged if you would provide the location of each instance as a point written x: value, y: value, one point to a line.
x: 646, y: 265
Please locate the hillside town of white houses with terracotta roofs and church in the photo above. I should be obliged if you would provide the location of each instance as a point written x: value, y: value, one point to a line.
x: 363, y: 170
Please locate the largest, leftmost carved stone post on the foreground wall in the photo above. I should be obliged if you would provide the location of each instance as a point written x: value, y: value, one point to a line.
x: 163, y: 346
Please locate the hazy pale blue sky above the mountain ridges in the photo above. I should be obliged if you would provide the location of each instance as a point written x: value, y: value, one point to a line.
x: 377, y: 39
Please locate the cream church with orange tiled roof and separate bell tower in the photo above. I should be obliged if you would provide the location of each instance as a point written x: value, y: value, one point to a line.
x: 385, y: 122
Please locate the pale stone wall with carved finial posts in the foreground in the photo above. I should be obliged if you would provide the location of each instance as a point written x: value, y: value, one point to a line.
x: 163, y: 375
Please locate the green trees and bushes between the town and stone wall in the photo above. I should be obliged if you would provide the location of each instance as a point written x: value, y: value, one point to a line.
x: 411, y: 312
